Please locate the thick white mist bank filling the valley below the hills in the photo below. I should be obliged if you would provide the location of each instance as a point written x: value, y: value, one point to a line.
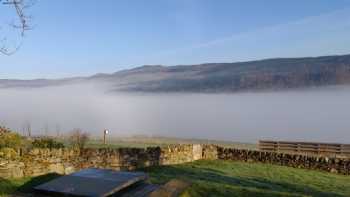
x: 312, y: 115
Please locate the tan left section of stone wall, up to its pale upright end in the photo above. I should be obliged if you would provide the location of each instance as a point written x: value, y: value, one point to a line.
x: 35, y: 162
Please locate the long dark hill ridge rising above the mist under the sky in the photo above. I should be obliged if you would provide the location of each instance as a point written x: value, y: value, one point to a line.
x: 268, y: 74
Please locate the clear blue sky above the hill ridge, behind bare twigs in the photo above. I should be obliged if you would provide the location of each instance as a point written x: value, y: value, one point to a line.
x: 72, y: 38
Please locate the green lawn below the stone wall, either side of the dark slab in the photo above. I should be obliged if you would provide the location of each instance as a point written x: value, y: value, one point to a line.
x: 226, y: 178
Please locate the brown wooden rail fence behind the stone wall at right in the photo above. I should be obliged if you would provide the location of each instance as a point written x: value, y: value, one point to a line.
x: 306, y: 148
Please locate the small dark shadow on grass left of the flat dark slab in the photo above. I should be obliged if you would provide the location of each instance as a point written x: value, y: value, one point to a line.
x: 28, y: 187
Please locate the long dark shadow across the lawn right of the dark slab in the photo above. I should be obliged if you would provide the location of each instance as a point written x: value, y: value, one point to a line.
x: 213, y: 182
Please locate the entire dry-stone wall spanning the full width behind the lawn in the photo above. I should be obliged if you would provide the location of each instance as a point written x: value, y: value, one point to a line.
x: 35, y: 162
